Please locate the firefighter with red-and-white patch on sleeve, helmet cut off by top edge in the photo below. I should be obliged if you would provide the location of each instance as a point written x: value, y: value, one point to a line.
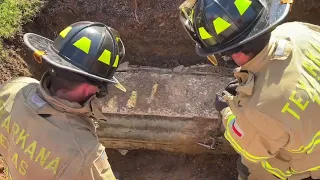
x: 272, y: 120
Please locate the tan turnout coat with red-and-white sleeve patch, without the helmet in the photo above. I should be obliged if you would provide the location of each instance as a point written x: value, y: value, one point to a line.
x: 273, y: 121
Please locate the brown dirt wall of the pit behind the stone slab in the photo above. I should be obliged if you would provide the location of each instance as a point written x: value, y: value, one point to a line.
x: 150, y: 29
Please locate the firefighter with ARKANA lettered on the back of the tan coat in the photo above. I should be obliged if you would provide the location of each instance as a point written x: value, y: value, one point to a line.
x: 48, y: 128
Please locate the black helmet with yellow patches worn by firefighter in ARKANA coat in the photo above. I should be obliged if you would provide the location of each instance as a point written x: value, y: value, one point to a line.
x: 87, y: 48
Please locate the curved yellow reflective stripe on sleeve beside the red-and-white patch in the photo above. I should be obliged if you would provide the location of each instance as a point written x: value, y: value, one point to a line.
x: 237, y: 147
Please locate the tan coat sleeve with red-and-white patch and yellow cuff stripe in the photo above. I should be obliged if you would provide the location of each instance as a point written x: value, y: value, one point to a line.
x: 256, y: 137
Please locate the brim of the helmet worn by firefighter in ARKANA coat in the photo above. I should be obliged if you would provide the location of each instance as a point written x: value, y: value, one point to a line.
x: 39, y: 43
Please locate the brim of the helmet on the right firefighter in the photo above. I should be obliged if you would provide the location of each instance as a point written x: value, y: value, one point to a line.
x: 274, y: 14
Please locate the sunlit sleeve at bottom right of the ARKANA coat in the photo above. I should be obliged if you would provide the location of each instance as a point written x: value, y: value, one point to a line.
x: 99, y: 167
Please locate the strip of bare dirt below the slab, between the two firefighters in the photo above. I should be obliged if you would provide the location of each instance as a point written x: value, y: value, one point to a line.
x: 151, y: 165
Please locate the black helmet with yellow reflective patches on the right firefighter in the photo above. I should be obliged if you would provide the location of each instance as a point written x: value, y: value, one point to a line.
x: 221, y: 25
